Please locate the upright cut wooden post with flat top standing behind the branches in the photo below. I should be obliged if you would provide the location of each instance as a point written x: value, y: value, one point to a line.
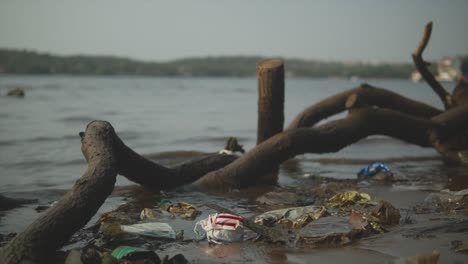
x: 270, y: 75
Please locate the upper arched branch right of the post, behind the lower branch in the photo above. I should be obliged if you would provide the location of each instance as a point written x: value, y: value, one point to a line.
x: 372, y: 95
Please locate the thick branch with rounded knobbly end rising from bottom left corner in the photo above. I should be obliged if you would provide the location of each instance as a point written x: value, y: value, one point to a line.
x: 53, y: 228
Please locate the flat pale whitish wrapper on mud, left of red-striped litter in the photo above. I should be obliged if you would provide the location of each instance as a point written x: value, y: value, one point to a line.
x: 153, y: 229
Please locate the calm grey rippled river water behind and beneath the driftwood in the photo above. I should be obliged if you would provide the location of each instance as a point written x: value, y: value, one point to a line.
x: 40, y: 154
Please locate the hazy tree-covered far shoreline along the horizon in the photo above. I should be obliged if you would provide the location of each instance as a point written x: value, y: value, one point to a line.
x: 29, y: 62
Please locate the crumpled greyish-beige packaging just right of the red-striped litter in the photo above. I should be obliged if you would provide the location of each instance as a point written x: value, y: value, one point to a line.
x: 296, y: 217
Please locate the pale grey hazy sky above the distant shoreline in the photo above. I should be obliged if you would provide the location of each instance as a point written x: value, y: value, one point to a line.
x: 153, y: 30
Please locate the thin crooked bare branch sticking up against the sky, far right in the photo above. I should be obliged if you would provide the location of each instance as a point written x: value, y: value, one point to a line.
x: 421, y: 65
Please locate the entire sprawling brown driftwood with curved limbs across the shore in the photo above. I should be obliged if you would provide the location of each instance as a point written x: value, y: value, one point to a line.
x: 371, y: 111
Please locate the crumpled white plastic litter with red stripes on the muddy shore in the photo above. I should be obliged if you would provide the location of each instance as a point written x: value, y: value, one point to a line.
x: 221, y: 228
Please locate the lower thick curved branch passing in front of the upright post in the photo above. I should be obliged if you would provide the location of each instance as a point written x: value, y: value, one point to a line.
x: 329, y: 137
